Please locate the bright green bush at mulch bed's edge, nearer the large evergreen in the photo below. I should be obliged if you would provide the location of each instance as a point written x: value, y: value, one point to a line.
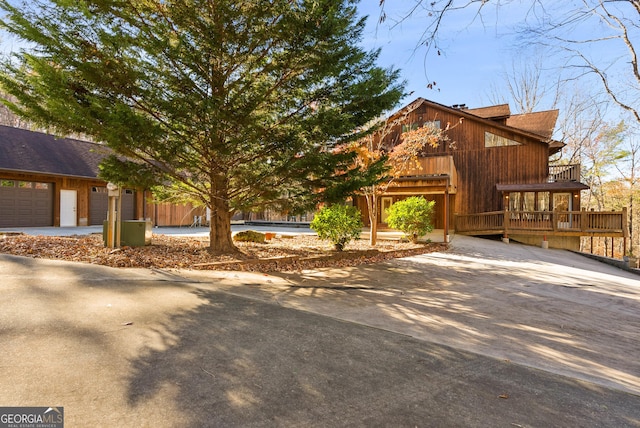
x: 338, y: 224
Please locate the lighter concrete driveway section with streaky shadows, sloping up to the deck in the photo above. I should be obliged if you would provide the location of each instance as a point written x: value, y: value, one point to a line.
x: 568, y: 319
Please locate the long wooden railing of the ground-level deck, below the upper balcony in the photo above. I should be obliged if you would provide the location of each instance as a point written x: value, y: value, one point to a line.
x: 609, y: 223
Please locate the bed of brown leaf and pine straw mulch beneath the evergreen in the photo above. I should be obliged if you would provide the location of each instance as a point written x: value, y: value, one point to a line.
x: 283, y: 253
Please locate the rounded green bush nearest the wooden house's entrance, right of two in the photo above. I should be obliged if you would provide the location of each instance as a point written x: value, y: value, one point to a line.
x: 412, y: 216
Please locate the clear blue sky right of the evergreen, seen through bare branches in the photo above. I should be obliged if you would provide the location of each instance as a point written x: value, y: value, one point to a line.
x: 477, y: 52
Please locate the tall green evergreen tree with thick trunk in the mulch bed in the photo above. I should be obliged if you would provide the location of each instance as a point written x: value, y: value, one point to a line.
x: 238, y: 104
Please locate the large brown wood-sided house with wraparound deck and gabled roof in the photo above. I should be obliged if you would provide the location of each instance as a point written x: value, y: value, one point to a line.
x: 493, y: 176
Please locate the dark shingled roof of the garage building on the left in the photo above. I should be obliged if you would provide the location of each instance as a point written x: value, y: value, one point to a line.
x: 29, y: 151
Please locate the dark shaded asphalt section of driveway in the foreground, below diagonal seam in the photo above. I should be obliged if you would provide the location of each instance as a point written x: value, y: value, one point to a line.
x: 234, y: 361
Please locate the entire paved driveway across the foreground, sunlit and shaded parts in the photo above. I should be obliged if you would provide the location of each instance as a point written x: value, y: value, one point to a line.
x: 487, y: 334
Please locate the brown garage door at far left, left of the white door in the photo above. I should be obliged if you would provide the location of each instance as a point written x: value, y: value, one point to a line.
x: 26, y: 204
